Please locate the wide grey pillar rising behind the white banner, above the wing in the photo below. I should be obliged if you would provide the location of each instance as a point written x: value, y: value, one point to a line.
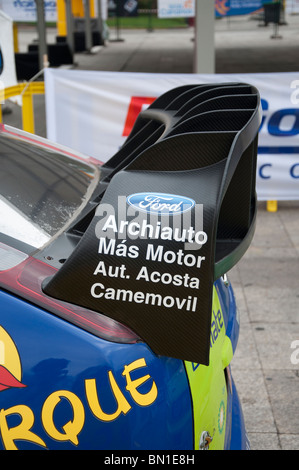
x: 204, y: 57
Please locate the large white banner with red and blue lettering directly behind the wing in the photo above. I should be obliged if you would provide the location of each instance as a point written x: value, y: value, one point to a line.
x: 93, y: 112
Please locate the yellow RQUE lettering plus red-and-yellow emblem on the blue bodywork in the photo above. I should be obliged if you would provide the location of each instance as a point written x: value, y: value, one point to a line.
x: 10, y: 376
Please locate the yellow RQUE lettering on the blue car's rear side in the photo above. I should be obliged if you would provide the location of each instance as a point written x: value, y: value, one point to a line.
x: 72, y: 428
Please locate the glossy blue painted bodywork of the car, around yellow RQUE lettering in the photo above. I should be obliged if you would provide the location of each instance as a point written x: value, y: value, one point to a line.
x: 58, y: 358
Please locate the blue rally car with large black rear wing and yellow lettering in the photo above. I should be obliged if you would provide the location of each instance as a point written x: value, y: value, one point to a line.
x: 118, y: 323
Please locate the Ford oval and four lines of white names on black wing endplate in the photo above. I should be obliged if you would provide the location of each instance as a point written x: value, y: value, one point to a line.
x: 114, y: 234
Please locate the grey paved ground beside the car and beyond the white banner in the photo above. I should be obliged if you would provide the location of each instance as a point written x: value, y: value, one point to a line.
x: 266, y: 280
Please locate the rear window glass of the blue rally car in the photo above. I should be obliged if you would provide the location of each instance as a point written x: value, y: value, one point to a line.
x: 41, y: 190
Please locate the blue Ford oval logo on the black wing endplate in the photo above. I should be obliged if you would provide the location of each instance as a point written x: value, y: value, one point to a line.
x: 160, y: 203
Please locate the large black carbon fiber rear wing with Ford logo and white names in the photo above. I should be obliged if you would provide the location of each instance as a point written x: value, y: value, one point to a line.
x: 178, y: 211
